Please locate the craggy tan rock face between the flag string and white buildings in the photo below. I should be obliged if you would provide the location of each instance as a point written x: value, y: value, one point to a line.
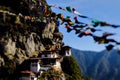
x: 21, y: 41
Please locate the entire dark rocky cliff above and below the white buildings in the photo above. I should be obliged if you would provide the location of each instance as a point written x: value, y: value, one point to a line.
x: 27, y: 29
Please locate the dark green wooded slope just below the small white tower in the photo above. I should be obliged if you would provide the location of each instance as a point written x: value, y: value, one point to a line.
x: 71, y: 69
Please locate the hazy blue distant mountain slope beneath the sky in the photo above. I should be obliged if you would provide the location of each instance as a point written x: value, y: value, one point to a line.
x: 102, y: 65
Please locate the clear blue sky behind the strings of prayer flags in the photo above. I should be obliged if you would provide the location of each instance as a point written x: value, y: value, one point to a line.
x: 103, y: 10
